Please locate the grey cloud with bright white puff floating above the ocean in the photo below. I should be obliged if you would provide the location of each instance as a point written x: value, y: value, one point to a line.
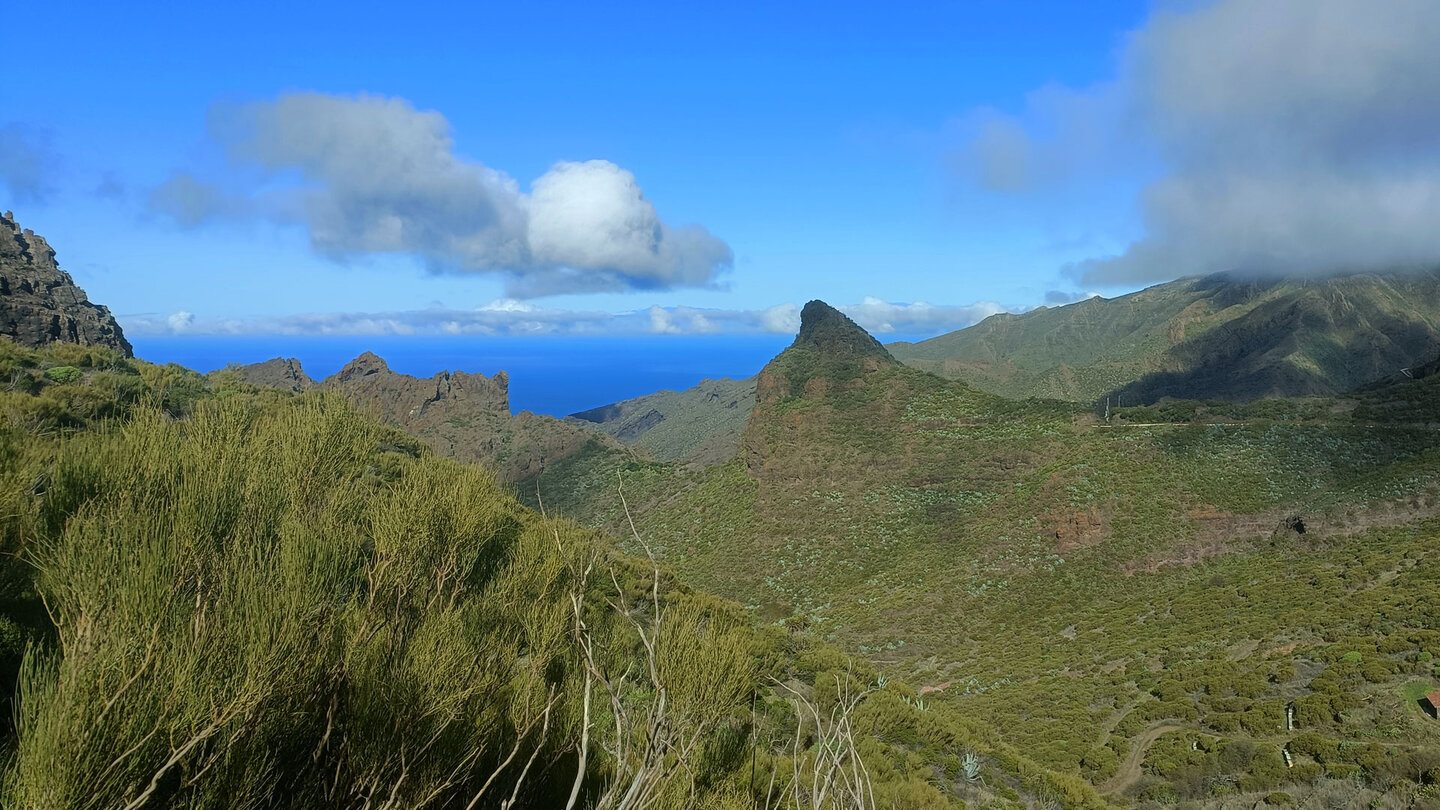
x: 381, y: 177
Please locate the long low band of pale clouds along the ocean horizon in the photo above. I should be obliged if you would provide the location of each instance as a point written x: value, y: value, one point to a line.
x: 516, y: 318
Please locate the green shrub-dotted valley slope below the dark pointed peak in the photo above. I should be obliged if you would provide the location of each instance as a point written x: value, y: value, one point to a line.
x: 1134, y: 602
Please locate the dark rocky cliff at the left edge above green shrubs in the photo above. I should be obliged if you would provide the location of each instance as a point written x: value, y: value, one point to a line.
x: 40, y: 303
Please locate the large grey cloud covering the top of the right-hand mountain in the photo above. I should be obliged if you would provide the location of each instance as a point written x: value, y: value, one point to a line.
x: 1292, y: 136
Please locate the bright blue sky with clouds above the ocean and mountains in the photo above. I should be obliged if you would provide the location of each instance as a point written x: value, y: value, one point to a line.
x: 971, y: 156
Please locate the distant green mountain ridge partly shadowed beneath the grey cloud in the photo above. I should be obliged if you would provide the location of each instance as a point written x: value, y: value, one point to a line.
x: 1215, y: 338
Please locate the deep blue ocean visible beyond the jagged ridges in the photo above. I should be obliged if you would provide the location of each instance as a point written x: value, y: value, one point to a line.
x: 548, y: 375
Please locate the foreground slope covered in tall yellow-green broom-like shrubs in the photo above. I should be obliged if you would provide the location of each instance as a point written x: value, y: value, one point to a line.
x: 218, y: 596
